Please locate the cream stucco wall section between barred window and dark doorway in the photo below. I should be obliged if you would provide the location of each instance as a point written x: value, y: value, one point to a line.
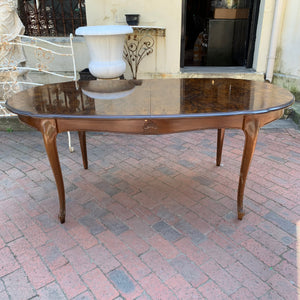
x: 166, y: 13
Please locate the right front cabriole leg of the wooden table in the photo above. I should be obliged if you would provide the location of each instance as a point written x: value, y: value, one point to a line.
x: 251, y: 129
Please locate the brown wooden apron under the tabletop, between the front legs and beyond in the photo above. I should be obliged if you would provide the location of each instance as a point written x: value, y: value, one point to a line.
x: 153, y: 125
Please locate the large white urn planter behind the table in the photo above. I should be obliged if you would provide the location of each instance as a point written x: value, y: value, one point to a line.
x: 105, y: 44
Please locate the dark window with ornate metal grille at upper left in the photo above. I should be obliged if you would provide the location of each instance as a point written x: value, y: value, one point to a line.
x: 51, y: 17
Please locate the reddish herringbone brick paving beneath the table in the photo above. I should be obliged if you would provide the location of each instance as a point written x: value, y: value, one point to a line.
x: 152, y: 218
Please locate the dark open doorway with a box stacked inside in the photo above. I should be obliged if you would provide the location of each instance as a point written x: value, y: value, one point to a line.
x: 218, y: 32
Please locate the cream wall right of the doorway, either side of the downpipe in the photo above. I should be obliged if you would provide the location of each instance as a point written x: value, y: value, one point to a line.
x: 287, y: 63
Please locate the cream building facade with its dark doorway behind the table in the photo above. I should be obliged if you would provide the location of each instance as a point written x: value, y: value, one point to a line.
x: 262, y: 43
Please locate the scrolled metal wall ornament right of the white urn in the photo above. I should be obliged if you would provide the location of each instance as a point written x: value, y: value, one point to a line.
x: 136, y: 48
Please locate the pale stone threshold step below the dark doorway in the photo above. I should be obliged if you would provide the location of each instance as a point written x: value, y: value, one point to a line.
x: 221, y: 72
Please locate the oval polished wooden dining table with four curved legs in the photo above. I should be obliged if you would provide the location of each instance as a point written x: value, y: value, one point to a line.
x: 152, y: 106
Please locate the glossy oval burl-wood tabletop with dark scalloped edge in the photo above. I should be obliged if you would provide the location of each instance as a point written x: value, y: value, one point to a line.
x: 152, y: 98
